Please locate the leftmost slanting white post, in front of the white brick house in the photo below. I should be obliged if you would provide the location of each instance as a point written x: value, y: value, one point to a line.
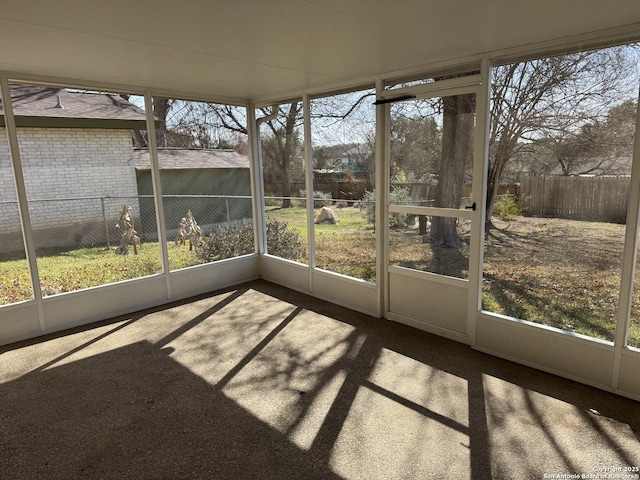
x: 21, y: 192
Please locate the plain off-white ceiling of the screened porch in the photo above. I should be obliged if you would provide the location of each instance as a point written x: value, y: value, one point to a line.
x: 257, y: 49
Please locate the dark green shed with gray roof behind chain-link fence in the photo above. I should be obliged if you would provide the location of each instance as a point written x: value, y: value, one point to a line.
x: 214, y: 184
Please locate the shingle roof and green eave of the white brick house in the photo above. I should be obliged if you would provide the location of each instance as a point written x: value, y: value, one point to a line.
x: 36, y: 106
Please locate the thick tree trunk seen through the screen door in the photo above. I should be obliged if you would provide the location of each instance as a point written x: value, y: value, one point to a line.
x: 457, y: 153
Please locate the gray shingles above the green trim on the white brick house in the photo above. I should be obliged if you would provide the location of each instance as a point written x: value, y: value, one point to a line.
x: 35, y: 101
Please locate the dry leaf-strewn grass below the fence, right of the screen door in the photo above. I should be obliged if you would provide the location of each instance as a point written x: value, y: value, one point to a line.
x: 562, y: 273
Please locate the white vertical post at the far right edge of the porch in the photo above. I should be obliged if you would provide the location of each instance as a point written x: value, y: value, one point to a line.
x: 628, y: 261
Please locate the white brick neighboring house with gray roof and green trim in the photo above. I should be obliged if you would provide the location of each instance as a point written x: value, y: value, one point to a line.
x: 74, y: 148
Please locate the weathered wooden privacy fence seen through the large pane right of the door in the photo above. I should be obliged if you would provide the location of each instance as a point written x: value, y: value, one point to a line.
x: 602, y: 199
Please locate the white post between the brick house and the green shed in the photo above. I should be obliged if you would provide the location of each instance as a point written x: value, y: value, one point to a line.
x: 157, y: 190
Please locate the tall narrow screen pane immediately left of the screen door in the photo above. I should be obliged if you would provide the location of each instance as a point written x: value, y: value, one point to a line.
x: 343, y: 136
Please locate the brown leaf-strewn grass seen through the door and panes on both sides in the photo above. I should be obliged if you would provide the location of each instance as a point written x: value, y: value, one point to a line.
x: 561, y: 273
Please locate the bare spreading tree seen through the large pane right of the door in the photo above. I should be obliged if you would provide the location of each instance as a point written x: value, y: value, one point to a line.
x: 534, y: 98
